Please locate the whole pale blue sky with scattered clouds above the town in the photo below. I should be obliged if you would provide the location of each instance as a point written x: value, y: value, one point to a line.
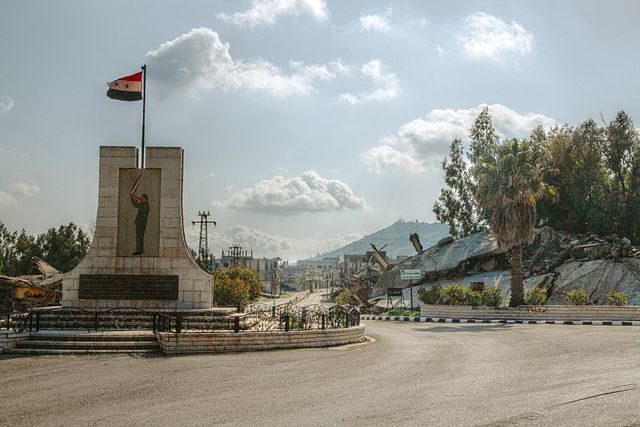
x: 306, y: 124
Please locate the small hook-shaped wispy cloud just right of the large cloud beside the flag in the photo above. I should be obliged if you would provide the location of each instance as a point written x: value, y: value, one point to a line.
x: 386, y: 82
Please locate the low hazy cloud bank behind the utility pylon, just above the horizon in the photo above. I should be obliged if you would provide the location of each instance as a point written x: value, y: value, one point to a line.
x: 272, y: 245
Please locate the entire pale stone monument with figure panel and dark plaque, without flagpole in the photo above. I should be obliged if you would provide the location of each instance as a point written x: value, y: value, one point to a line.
x: 139, y: 257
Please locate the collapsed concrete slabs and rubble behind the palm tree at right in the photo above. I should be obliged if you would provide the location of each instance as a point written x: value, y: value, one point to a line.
x: 556, y: 260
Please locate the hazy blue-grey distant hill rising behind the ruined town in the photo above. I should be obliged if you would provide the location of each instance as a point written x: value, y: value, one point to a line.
x: 396, y: 237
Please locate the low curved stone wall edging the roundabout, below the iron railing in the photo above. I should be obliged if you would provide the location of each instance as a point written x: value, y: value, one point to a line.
x: 221, y: 342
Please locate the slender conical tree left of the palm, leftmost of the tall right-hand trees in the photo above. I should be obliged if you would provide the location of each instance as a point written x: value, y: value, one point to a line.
x: 456, y: 206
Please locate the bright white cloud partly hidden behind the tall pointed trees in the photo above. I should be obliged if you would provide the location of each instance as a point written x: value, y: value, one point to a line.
x: 422, y: 143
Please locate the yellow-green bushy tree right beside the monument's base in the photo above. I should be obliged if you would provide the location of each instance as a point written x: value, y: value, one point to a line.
x: 236, y: 285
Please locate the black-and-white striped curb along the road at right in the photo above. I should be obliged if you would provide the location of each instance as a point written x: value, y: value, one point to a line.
x: 505, y: 321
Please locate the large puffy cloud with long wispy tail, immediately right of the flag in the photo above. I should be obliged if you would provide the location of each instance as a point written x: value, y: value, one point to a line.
x: 199, y: 59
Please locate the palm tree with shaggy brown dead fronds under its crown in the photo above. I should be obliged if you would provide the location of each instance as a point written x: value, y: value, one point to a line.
x: 509, y: 178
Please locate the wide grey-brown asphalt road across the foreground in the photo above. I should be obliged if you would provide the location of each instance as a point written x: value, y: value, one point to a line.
x: 412, y: 374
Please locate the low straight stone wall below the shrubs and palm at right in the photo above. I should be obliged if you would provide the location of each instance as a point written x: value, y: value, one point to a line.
x: 544, y: 312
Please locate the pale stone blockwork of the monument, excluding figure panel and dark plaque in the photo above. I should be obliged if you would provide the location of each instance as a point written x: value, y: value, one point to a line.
x: 194, y: 289
